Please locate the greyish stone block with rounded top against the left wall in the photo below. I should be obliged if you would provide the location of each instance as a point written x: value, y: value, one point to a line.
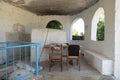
x: 18, y: 34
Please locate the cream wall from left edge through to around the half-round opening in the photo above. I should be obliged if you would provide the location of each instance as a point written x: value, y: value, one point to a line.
x: 10, y: 15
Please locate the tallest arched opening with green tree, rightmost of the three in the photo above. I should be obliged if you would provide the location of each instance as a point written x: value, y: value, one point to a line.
x: 98, y: 24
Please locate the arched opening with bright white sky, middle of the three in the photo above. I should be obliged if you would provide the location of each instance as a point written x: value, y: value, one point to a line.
x: 78, y: 29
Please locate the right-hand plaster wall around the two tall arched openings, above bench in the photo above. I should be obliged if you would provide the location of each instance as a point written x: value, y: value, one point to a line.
x: 105, y: 47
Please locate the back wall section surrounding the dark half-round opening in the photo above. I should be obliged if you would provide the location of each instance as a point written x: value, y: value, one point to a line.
x: 64, y: 20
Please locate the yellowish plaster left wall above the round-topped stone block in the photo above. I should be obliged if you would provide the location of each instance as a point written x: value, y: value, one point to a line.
x: 10, y: 15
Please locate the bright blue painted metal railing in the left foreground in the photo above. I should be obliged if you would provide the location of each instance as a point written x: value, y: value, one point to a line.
x: 6, y: 47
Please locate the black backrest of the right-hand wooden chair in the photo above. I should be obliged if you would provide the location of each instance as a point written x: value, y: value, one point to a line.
x: 73, y: 50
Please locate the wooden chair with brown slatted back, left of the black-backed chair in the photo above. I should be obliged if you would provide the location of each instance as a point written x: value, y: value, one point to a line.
x: 55, y: 54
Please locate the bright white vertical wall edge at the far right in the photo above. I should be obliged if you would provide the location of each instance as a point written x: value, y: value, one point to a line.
x: 117, y: 40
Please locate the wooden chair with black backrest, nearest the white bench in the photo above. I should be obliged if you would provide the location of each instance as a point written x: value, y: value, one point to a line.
x: 73, y: 53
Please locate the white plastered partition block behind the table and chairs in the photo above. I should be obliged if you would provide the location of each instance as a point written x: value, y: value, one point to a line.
x: 47, y: 36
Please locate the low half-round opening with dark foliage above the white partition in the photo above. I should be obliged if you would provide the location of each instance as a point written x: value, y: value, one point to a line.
x: 54, y: 24
